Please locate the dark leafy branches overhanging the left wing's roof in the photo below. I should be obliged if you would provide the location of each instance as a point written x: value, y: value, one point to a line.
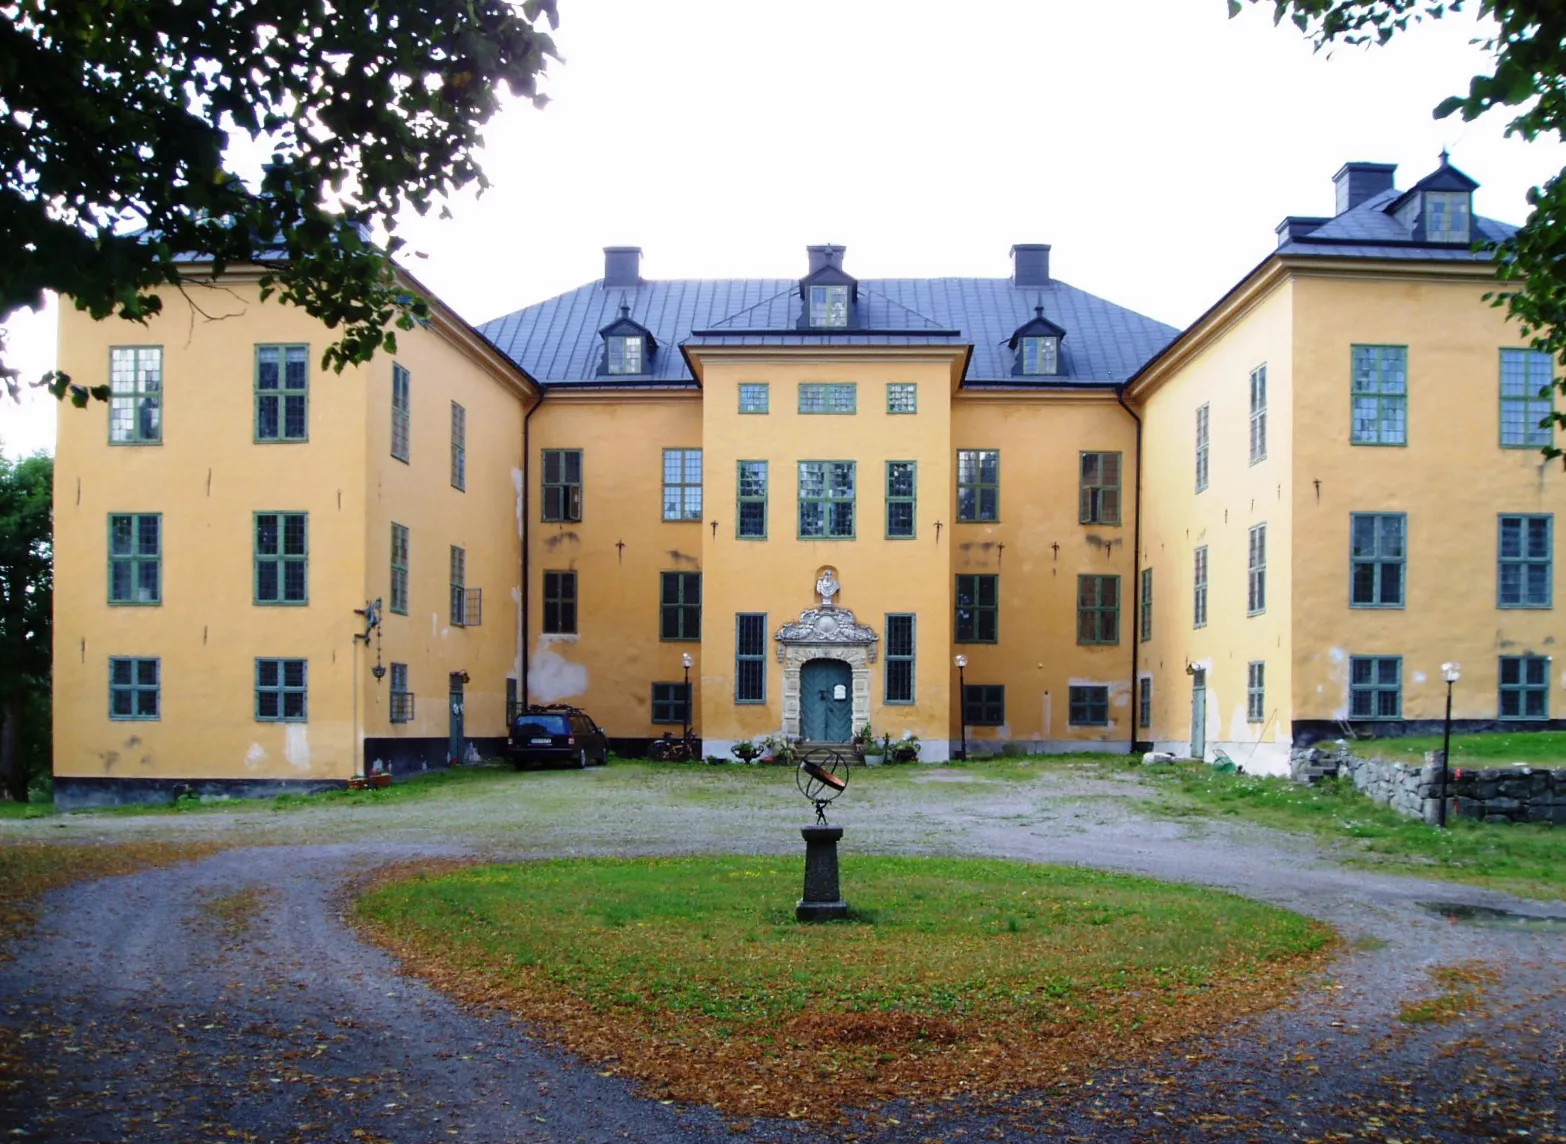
x: 118, y: 121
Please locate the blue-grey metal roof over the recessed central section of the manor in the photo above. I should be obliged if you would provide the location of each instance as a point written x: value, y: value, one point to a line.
x: 557, y: 342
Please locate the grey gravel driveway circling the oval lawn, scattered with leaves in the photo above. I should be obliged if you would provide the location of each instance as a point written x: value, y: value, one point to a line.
x: 150, y: 1015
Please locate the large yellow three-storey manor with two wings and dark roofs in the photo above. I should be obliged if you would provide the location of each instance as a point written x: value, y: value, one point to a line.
x: 981, y: 513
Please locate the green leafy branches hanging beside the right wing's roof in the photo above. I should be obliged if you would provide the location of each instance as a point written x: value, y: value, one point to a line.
x: 1528, y: 46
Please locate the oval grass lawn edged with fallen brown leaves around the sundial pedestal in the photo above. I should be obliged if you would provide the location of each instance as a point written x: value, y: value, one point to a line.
x: 954, y: 977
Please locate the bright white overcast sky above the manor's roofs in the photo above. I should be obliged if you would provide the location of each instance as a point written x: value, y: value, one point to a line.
x: 1155, y: 143
